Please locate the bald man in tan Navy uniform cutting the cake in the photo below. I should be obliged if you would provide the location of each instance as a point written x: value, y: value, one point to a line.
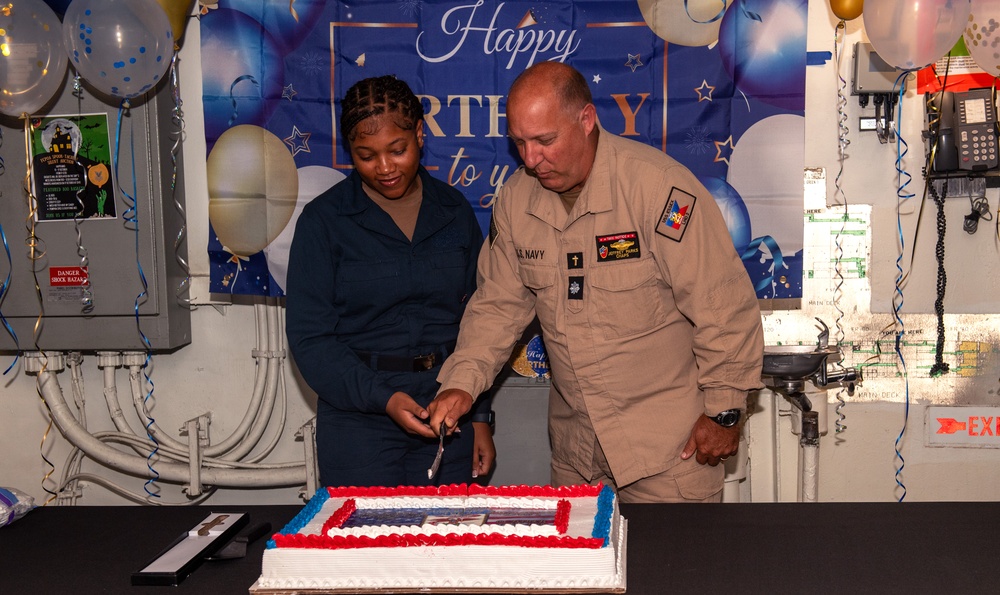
x: 649, y: 319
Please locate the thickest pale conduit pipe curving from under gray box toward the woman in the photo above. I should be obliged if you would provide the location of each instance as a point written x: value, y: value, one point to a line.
x: 51, y: 392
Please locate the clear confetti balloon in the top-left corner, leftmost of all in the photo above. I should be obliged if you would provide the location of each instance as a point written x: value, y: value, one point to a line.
x: 32, y: 56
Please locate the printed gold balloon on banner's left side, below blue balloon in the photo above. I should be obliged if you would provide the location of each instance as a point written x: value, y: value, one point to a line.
x: 252, y: 188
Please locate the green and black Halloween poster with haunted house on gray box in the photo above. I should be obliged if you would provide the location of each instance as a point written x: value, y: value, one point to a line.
x: 71, y: 168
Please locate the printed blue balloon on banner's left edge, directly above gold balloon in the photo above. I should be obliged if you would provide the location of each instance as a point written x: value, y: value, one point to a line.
x: 242, y: 72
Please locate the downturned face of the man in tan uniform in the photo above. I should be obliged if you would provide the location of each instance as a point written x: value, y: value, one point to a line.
x: 551, y: 139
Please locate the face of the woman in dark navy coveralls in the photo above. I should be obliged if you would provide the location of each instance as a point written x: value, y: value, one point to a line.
x: 387, y: 157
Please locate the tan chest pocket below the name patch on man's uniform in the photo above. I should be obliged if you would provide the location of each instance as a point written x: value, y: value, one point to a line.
x: 627, y: 299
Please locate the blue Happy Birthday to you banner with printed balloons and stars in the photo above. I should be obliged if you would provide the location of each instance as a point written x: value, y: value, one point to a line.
x: 719, y: 86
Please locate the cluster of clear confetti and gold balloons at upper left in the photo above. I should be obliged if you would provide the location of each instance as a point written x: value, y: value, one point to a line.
x: 121, y: 48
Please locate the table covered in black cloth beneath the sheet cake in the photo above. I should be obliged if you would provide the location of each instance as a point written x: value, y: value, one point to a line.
x: 939, y: 548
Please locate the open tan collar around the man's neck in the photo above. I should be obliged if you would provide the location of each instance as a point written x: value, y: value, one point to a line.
x: 595, y: 198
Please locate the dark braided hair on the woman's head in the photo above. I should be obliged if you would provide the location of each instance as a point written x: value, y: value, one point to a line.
x: 376, y: 96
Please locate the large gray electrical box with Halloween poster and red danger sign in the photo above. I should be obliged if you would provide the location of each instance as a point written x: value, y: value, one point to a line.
x: 104, y: 274
